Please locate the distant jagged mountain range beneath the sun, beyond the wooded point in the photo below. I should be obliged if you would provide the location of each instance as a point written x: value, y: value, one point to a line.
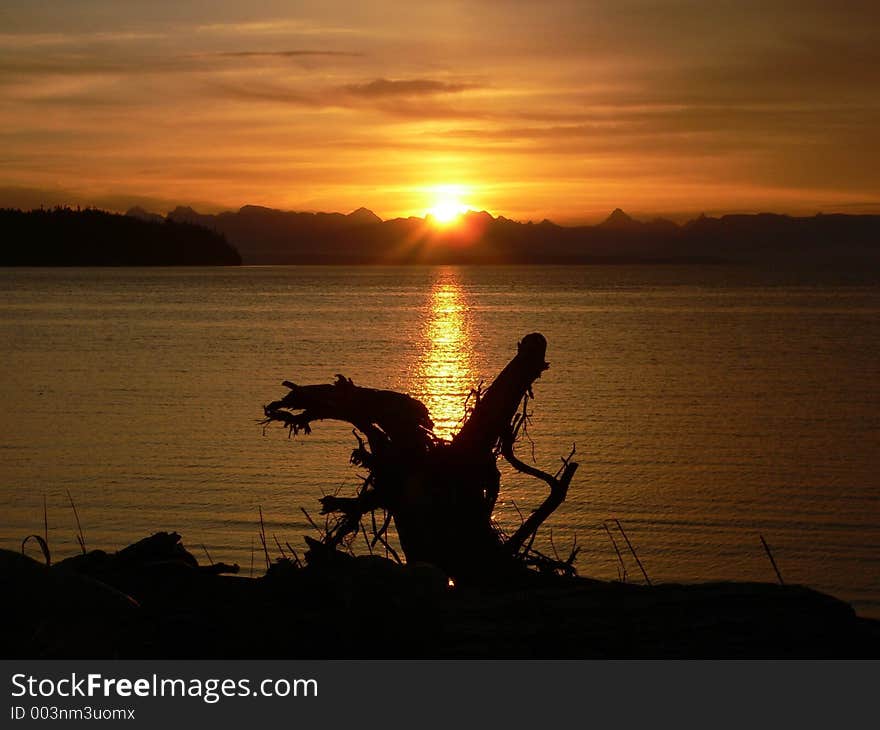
x: 269, y: 236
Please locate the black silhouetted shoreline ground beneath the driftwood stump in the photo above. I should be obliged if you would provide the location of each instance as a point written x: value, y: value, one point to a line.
x: 153, y: 600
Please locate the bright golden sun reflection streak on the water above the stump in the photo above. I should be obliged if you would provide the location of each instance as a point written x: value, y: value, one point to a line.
x: 445, y: 371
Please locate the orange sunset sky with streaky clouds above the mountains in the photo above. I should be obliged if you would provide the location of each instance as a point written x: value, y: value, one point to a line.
x: 554, y: 109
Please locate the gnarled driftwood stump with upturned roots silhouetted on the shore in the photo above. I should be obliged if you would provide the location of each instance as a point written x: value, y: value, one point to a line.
x: 440, y: 494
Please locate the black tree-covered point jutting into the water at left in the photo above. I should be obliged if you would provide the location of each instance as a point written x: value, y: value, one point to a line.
x: 90, y: 237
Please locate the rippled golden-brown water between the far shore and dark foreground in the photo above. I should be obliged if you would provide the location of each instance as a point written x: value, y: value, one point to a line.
x: 708, y: 405
